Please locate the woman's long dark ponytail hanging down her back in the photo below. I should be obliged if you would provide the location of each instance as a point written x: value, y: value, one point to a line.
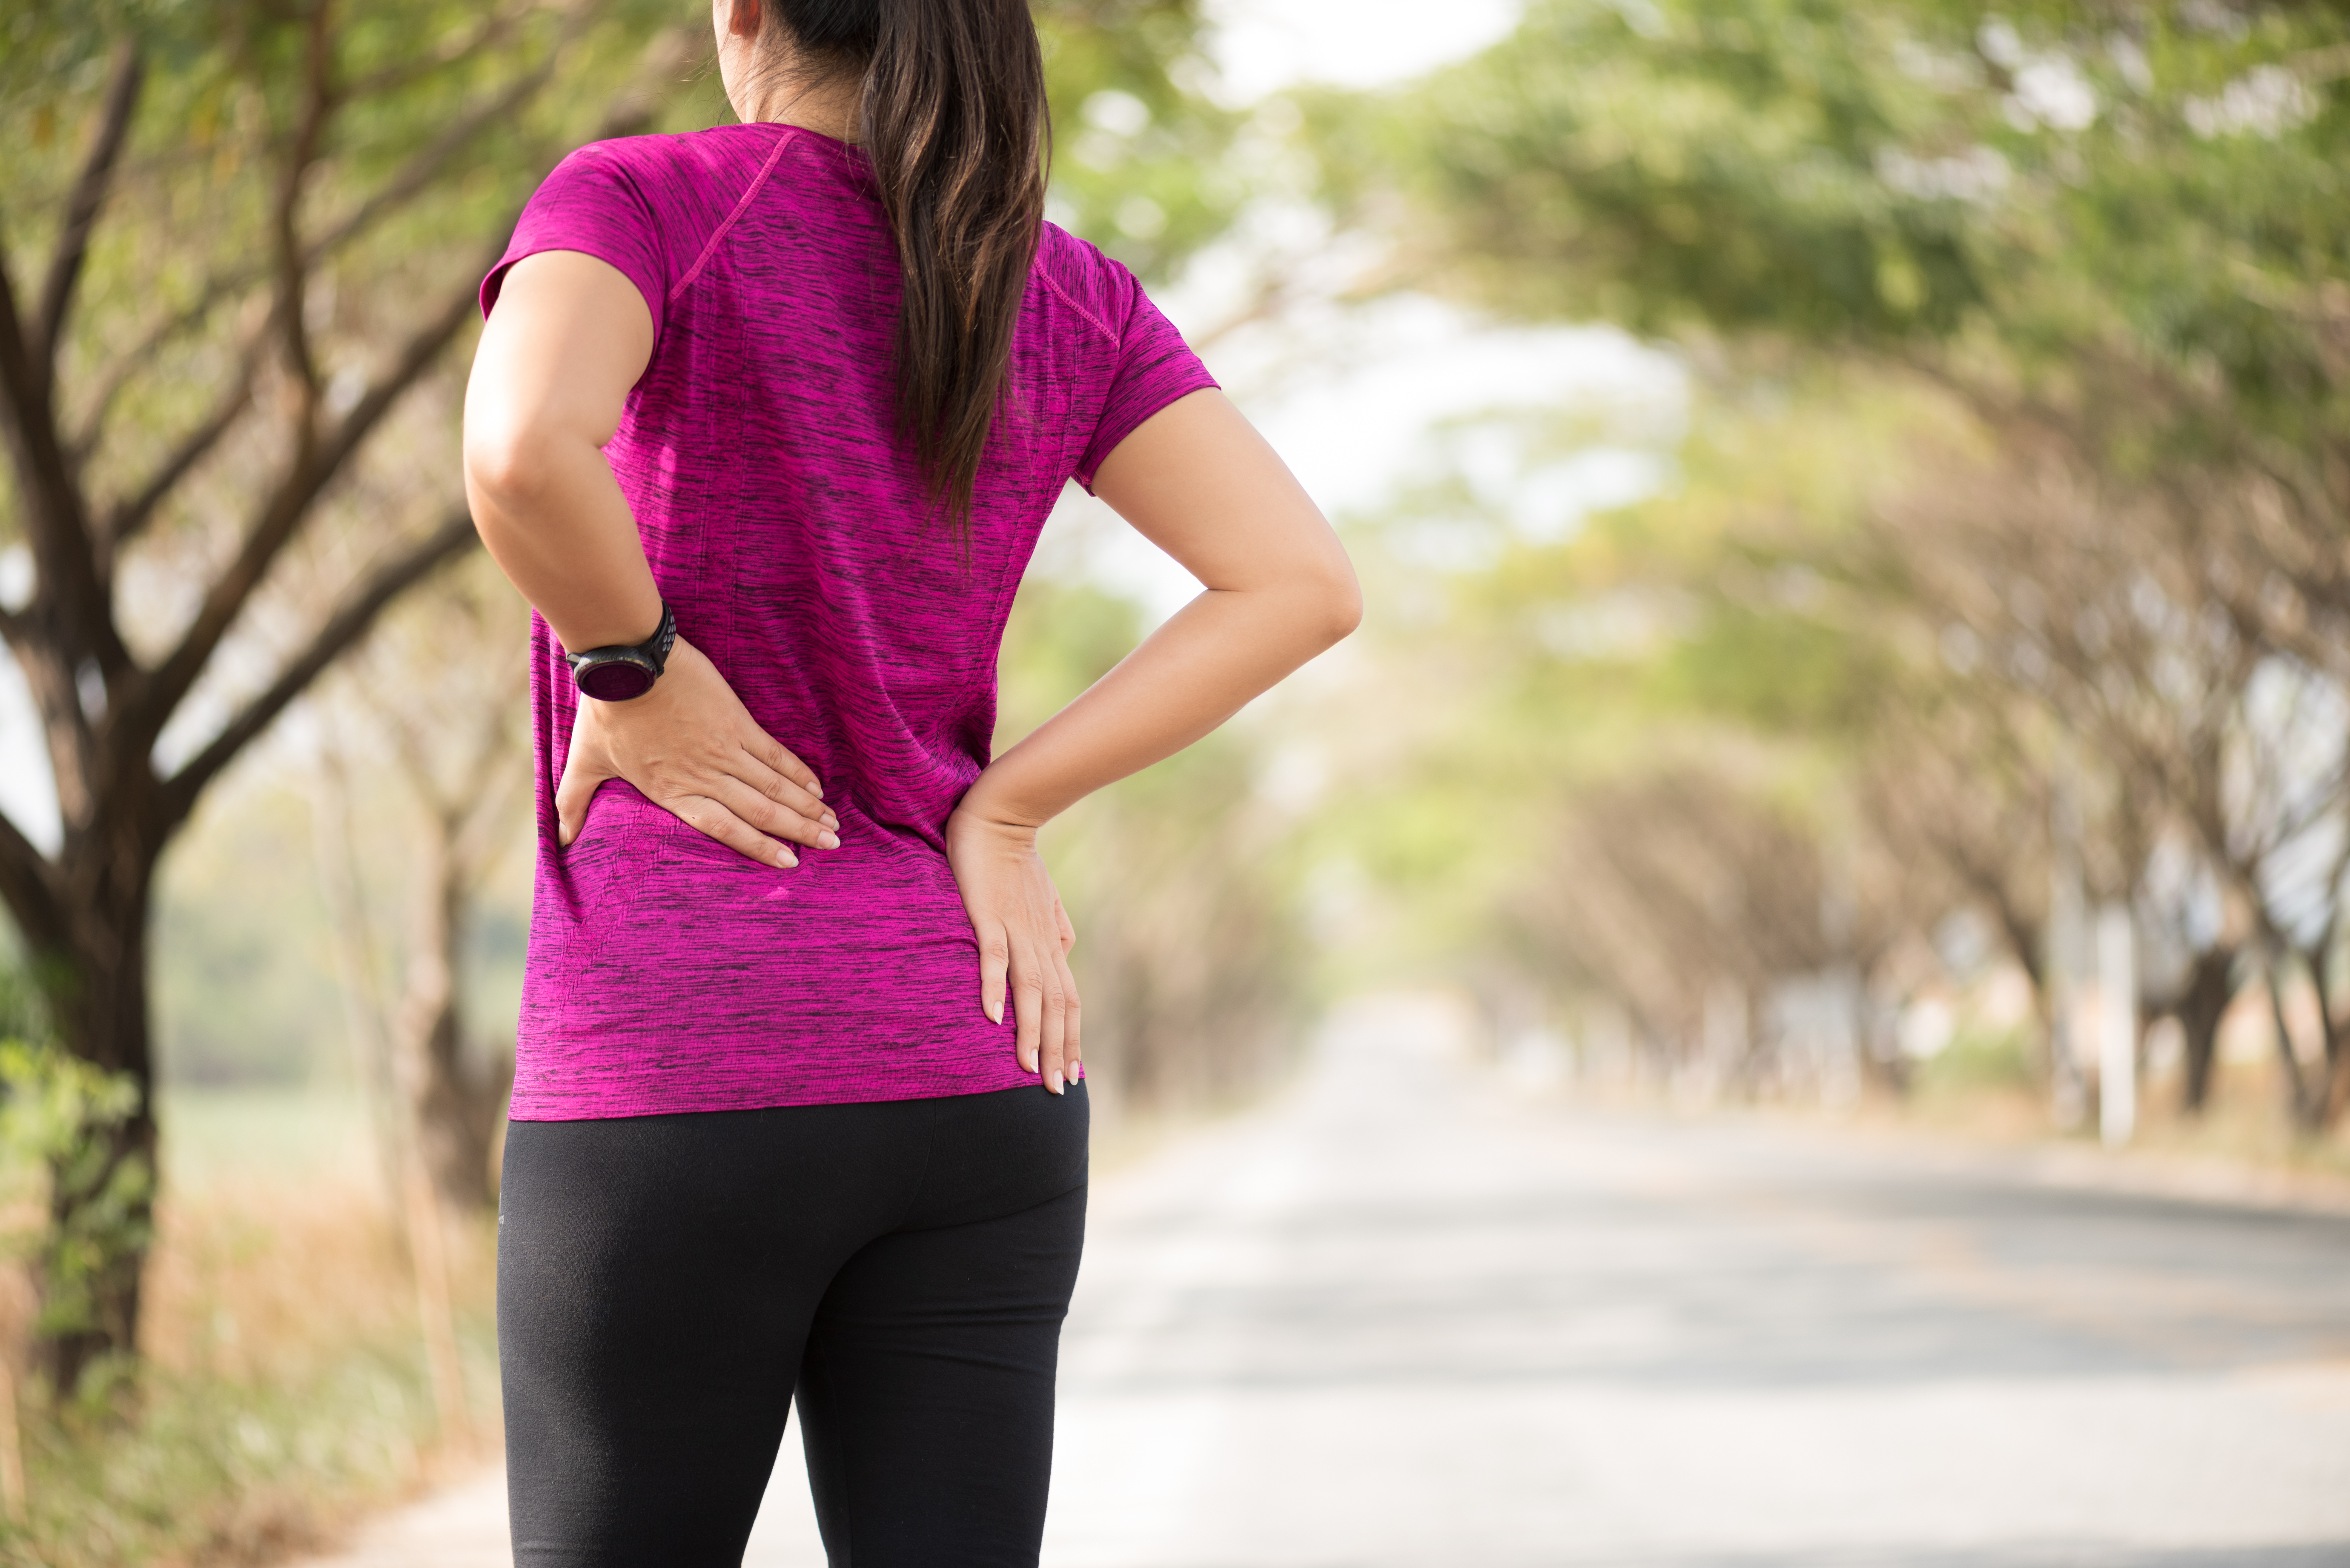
x: 958, y: 130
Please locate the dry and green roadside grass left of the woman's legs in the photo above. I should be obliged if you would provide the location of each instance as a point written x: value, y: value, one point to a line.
x: 283, y: 1386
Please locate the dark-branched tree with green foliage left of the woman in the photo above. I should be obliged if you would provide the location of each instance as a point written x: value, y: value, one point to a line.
x: 241, y: 236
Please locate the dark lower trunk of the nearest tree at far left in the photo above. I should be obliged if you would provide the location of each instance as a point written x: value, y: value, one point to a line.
x: 102, y: 1195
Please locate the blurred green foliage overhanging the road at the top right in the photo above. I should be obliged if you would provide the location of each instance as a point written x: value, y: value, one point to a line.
x: 2053, y: 182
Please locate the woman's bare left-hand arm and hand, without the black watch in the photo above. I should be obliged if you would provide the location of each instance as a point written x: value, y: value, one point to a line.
x: 558, y: 356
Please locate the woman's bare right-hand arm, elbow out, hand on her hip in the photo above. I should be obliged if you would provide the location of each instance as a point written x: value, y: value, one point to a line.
x: 1200, y: 483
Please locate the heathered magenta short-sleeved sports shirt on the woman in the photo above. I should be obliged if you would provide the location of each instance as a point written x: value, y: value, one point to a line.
x: 786, y: 528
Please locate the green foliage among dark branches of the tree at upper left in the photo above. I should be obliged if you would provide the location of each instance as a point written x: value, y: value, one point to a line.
x: 427, y: 152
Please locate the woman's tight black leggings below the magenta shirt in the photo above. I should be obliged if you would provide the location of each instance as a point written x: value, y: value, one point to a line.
x: 669, y: 1287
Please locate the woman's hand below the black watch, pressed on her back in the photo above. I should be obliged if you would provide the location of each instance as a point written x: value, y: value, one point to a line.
x: 692, y: 749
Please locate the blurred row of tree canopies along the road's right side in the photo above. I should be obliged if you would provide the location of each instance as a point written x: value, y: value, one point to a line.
x: 2008, y: 535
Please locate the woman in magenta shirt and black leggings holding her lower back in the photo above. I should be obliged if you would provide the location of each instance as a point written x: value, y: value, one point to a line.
x: 765, y: 422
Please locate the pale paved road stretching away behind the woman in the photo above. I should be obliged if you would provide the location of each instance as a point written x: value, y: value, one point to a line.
x: 1411, y: 1320
